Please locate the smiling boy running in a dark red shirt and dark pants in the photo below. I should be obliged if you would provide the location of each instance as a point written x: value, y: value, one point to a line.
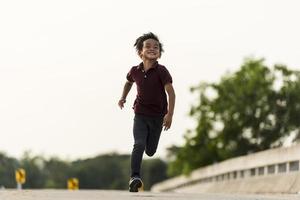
x: 152, y: 109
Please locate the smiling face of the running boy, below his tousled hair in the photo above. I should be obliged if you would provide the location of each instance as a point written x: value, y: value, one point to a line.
x: 150, y: 50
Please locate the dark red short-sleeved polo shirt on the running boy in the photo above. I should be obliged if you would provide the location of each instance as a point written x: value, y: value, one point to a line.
x: 151, y: 97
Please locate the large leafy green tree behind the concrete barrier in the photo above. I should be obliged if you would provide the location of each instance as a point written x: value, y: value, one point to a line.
x: 253, y: 109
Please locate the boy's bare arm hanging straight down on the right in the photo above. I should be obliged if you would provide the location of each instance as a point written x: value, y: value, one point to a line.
x: 168, y: 117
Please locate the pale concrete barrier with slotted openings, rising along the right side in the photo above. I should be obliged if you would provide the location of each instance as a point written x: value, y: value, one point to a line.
x: 271, y: 171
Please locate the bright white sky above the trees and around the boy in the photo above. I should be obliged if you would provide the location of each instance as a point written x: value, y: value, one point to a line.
x: 63, y: 64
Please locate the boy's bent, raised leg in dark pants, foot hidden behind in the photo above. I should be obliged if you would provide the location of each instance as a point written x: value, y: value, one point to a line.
x: 155, y: 128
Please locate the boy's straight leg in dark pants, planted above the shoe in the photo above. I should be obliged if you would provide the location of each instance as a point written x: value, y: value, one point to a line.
x: 140, y: 132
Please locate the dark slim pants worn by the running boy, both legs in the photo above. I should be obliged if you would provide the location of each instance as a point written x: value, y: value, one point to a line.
x: 146, y: 132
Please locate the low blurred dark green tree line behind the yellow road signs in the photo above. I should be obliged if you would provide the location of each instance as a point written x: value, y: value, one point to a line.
x: 109, y: 171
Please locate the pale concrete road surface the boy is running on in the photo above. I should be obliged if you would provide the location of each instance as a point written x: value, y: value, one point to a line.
x: 124, y: 195
